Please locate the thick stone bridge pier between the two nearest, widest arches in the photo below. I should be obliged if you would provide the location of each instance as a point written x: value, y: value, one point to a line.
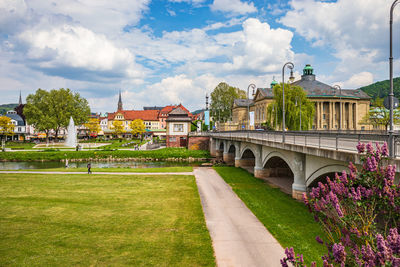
x: 299, y: 184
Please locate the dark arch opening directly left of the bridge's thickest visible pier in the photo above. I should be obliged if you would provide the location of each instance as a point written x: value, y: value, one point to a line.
x: 278, y: 173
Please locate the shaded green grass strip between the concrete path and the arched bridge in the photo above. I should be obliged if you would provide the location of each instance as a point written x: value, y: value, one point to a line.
x: 287, y: 219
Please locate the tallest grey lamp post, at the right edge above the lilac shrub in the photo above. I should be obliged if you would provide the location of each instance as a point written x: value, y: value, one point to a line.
x: 391, y: 141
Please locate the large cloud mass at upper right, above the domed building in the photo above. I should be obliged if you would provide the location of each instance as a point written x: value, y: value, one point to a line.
x: 356, y: 30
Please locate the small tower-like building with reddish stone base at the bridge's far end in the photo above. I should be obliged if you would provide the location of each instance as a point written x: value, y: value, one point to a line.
x: 178, y: 127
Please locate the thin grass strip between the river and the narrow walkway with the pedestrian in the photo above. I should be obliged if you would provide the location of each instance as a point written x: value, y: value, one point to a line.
x: 161, y: 170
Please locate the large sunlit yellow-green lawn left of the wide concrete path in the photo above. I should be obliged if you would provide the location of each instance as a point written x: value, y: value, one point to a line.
x: 67, y: 220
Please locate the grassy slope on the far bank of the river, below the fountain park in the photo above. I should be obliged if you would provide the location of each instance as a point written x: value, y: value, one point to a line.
x: 58, y: 155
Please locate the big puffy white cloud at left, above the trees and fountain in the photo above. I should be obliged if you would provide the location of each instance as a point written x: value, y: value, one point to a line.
x: 69, y: 46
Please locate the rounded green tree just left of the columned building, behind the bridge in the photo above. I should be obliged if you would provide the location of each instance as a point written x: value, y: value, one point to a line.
x: 222, y: 100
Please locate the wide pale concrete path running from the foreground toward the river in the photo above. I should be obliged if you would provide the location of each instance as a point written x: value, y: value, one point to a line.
x: 239, y: 238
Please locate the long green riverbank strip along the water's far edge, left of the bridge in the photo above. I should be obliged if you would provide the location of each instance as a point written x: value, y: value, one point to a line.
x: 164, y: 154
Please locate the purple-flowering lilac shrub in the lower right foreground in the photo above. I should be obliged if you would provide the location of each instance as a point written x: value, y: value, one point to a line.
x: 359, y: 212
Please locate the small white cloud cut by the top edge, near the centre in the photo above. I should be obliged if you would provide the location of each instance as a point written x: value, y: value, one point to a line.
x: 233, y: 6
